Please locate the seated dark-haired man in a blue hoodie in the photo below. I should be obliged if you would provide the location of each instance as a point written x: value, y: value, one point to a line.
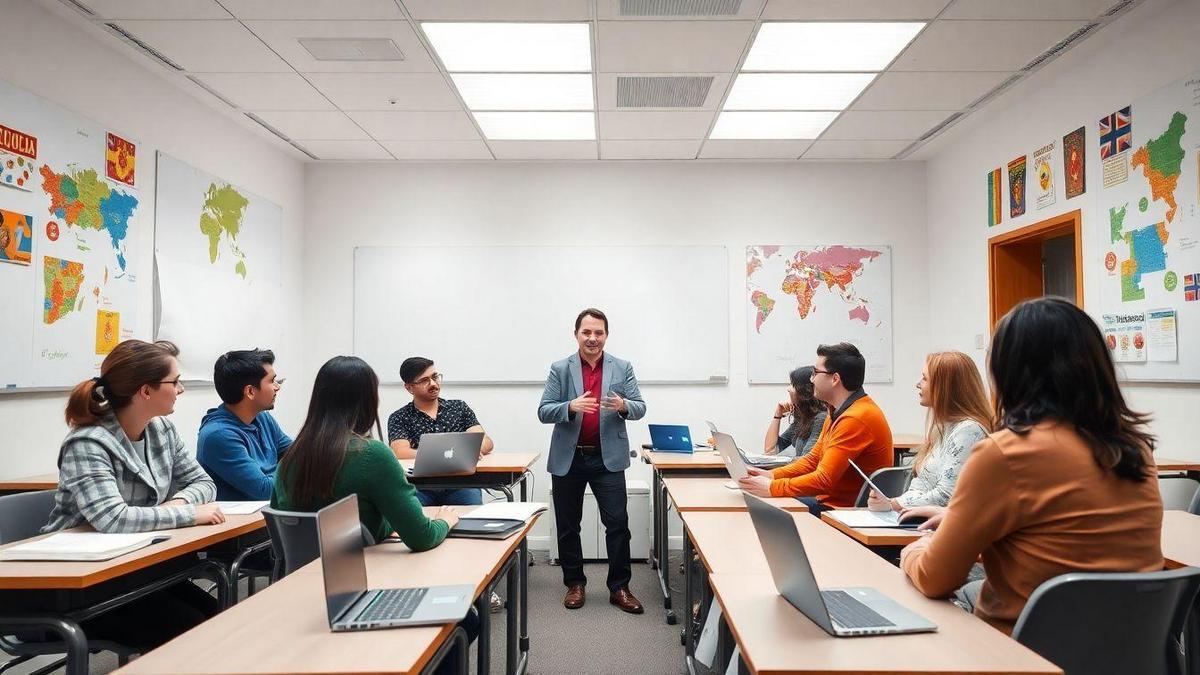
x: 241, y: 444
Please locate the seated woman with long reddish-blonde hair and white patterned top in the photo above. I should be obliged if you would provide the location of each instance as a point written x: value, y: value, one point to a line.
x: 959, y: 417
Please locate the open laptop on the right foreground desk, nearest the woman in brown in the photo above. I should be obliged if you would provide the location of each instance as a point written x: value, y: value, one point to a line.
x: 843, y: 613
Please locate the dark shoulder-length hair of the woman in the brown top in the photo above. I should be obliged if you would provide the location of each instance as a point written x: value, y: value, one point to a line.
x: 1049, y: 362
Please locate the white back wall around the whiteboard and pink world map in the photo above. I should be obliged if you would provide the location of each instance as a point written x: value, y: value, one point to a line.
x: 731, y: 205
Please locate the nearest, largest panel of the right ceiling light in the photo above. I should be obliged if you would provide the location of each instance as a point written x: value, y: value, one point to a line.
x: 827, y: 46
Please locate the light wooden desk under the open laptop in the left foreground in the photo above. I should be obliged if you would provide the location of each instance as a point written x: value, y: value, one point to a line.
x: 285, y: 629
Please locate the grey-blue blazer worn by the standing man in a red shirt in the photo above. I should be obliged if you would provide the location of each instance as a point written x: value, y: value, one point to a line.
x: 565, y: 384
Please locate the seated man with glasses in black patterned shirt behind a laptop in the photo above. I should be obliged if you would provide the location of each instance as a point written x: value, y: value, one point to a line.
x: 428, y: 414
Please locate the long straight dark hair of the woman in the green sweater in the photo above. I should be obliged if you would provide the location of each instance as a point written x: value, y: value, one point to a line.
x: 345, y: 404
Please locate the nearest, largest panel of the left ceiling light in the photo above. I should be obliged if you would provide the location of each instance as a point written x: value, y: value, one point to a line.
x: 512, y: 47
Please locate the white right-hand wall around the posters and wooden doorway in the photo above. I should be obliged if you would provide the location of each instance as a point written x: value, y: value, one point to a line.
x: 1154, y: 46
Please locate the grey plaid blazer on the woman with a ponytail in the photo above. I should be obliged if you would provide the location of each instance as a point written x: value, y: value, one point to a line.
x: 99, y: 471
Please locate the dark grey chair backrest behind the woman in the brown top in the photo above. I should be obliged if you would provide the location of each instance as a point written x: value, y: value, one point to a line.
x: 1096, y: 624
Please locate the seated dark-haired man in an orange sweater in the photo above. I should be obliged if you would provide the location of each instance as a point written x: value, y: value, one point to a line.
x: 855, y: 431
